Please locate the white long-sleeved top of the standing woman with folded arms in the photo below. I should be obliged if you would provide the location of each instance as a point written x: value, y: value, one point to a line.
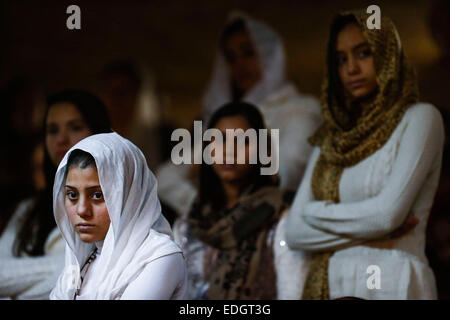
x: 377, y: 195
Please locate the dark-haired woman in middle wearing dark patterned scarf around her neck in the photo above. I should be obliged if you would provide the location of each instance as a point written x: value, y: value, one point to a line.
x: 227, y: 237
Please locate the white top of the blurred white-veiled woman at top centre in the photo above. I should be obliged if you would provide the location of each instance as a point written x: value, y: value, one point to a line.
x: 296, y: 116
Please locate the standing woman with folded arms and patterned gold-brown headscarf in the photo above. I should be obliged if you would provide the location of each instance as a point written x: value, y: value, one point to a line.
x: 374, y: 169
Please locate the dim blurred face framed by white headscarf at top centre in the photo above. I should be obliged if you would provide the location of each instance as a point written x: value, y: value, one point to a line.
x: 243, y: 61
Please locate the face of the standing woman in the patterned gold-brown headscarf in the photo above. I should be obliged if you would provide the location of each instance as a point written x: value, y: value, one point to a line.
x: 356, y: 67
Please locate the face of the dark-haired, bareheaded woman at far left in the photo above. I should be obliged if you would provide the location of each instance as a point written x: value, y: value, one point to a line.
x: 65, y: 127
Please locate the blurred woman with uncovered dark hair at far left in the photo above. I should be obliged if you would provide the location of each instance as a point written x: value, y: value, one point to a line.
x: 31, y: 247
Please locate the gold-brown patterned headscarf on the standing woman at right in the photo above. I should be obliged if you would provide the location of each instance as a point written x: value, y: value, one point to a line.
x: 347, y: 137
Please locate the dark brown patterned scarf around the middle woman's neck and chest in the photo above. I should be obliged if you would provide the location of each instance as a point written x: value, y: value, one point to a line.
x: 240, y: 234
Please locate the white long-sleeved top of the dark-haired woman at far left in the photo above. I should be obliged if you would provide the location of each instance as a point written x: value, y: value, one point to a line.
x: 29, y: 277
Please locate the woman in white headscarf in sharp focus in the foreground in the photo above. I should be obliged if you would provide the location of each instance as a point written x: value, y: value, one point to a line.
x: 118, y: 244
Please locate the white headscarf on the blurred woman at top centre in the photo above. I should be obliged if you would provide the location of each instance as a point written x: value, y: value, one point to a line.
x: 269, y: 48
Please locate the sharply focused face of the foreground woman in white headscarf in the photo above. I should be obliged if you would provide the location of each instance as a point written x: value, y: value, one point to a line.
x: 85, y: 204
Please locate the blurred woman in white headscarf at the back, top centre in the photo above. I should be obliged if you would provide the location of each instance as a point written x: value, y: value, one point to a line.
x: 250, y: 67
